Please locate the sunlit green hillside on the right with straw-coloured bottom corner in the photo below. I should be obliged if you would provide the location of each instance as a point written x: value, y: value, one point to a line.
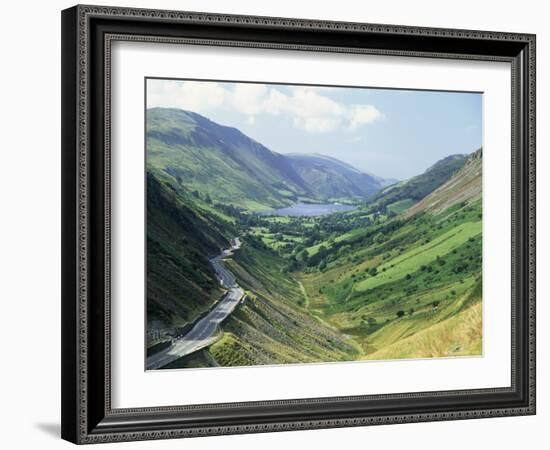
x: 408, y: 286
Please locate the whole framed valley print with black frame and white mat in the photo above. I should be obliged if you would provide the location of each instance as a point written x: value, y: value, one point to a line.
x: 279, y: 224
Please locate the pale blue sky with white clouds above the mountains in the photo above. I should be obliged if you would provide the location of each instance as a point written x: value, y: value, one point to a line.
x: 387, y: 132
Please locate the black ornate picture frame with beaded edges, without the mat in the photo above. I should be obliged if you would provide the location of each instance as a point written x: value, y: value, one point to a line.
x: 87, y: 35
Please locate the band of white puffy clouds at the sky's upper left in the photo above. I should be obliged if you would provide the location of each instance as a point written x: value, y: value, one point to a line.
x: 308, y: 108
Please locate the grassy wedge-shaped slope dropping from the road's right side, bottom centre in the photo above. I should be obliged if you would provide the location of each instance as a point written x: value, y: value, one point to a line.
x: 272, y: 326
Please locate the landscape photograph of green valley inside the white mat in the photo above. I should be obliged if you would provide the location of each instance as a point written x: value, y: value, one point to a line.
x: 299, y: 224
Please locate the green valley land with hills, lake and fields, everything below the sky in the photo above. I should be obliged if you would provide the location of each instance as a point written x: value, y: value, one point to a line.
x: 335, y: 264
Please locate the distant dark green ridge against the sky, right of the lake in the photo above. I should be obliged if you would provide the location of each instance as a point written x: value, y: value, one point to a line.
x: 418, y: 187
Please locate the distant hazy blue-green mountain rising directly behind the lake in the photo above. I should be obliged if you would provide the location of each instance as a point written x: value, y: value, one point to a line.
x: 332, y: 179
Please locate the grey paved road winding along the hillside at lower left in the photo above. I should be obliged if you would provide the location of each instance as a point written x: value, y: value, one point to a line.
x: 204, y: 332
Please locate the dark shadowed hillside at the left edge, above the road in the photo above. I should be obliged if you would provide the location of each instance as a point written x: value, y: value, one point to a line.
x: 180, y: 236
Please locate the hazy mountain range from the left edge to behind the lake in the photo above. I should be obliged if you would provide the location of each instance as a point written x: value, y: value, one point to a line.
x: 193, y: 151
